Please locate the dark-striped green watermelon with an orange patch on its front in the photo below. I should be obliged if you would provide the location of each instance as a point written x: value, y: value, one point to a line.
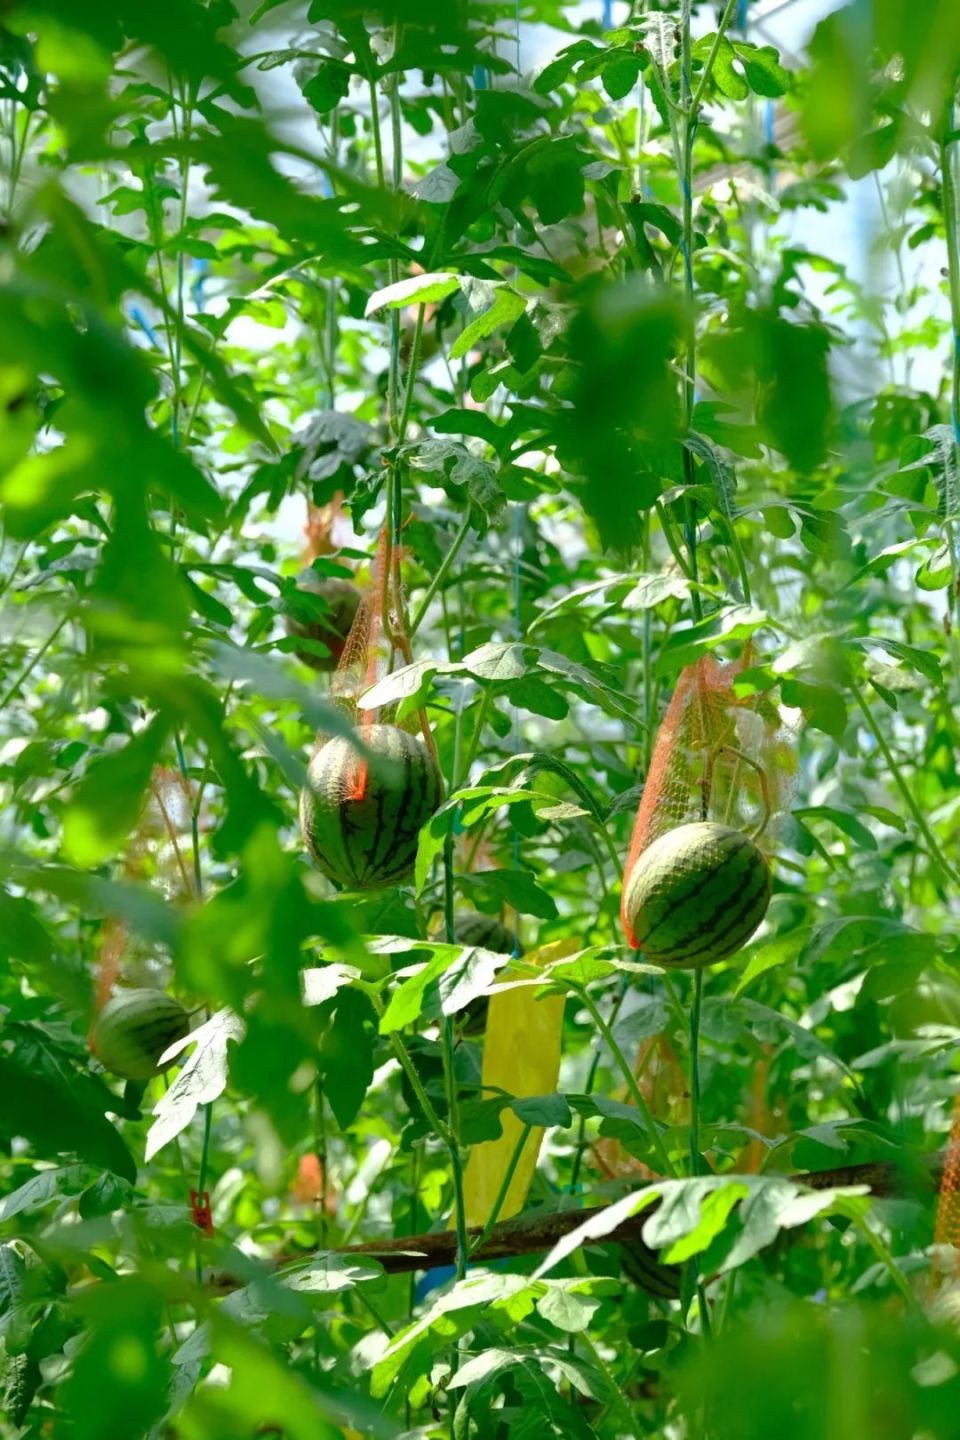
x: 362, y: 820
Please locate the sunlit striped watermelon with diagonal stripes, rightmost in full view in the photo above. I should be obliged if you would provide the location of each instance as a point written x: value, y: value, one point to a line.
x: 696, y: 896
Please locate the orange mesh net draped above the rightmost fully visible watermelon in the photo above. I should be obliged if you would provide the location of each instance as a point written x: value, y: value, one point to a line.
x: 720, y: 755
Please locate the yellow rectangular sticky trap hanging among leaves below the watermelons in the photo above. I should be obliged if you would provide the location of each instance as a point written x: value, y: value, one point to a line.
x: 522, y: 1056
